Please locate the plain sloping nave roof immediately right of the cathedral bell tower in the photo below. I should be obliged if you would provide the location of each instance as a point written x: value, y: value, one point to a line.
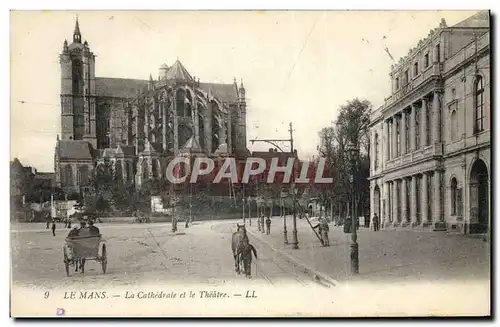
x: 119, y: 87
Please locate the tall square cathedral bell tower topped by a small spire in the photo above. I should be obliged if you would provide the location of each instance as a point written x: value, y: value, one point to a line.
x: 78, y: 90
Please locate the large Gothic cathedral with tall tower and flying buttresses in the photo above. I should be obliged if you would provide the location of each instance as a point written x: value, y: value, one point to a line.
x: 139, y: 126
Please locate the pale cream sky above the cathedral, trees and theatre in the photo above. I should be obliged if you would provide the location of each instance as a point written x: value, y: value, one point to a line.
x: 296, y: 66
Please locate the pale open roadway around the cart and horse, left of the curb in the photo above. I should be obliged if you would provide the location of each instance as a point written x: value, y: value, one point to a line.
x: 145, y: 254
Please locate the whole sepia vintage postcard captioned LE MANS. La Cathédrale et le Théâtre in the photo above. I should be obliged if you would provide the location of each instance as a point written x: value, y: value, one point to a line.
x: 250, y: 163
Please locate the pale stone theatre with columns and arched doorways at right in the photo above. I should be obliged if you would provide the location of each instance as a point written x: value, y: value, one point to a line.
x: 430, y: 141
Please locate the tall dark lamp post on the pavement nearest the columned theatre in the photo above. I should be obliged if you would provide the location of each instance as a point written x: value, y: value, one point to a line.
x: 353, y: 153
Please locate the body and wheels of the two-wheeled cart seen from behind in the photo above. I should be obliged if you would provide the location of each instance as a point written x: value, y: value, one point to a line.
x: 78, y: 249
